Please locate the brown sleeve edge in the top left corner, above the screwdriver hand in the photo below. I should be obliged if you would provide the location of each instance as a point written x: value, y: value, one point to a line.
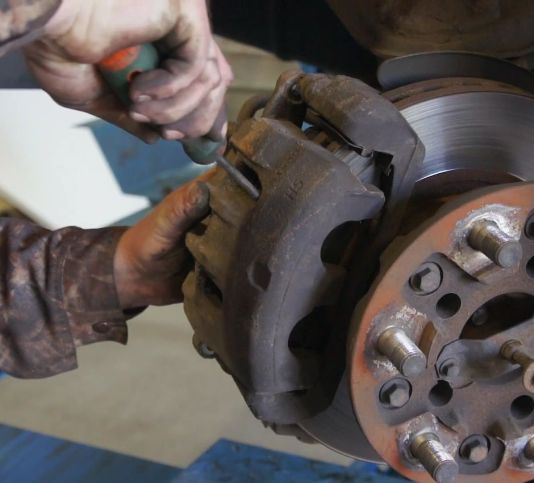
x: 22, y: 21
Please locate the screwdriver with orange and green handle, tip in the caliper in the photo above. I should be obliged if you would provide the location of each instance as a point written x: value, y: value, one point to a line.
x: 120, y: 68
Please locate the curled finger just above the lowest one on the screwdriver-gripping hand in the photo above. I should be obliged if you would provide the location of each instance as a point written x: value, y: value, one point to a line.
x: 172, y: 109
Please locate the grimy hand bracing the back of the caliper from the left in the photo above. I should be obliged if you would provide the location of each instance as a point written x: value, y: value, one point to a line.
x: 151, y: 260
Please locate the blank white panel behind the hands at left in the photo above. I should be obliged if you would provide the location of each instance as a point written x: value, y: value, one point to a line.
x: 52, y: 168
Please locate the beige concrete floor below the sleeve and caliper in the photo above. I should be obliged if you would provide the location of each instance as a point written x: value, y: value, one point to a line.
x: 155, y: 399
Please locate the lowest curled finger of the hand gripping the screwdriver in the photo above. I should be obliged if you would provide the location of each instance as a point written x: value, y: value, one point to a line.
x: 209, y: 118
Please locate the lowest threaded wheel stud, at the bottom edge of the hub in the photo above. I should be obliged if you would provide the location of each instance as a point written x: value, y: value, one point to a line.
x: 434, y: 457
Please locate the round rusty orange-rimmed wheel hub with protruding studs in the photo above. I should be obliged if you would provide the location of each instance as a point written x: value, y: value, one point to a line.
x: 422, y: 365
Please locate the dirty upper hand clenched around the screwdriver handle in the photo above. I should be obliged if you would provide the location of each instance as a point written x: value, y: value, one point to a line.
x: 184, y: 96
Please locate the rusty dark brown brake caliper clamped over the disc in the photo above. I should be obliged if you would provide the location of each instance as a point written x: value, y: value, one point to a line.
x: 271, y: 293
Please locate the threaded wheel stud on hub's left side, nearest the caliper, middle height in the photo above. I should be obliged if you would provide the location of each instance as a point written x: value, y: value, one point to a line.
x: 402, y: 352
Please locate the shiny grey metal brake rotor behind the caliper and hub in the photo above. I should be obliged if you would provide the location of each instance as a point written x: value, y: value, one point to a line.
x: 476, y: 133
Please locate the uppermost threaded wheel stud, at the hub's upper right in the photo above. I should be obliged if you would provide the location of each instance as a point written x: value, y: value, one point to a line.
x: 488, y: 238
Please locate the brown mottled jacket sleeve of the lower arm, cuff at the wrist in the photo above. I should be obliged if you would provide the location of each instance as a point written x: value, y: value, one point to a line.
x: 57, y: 292
